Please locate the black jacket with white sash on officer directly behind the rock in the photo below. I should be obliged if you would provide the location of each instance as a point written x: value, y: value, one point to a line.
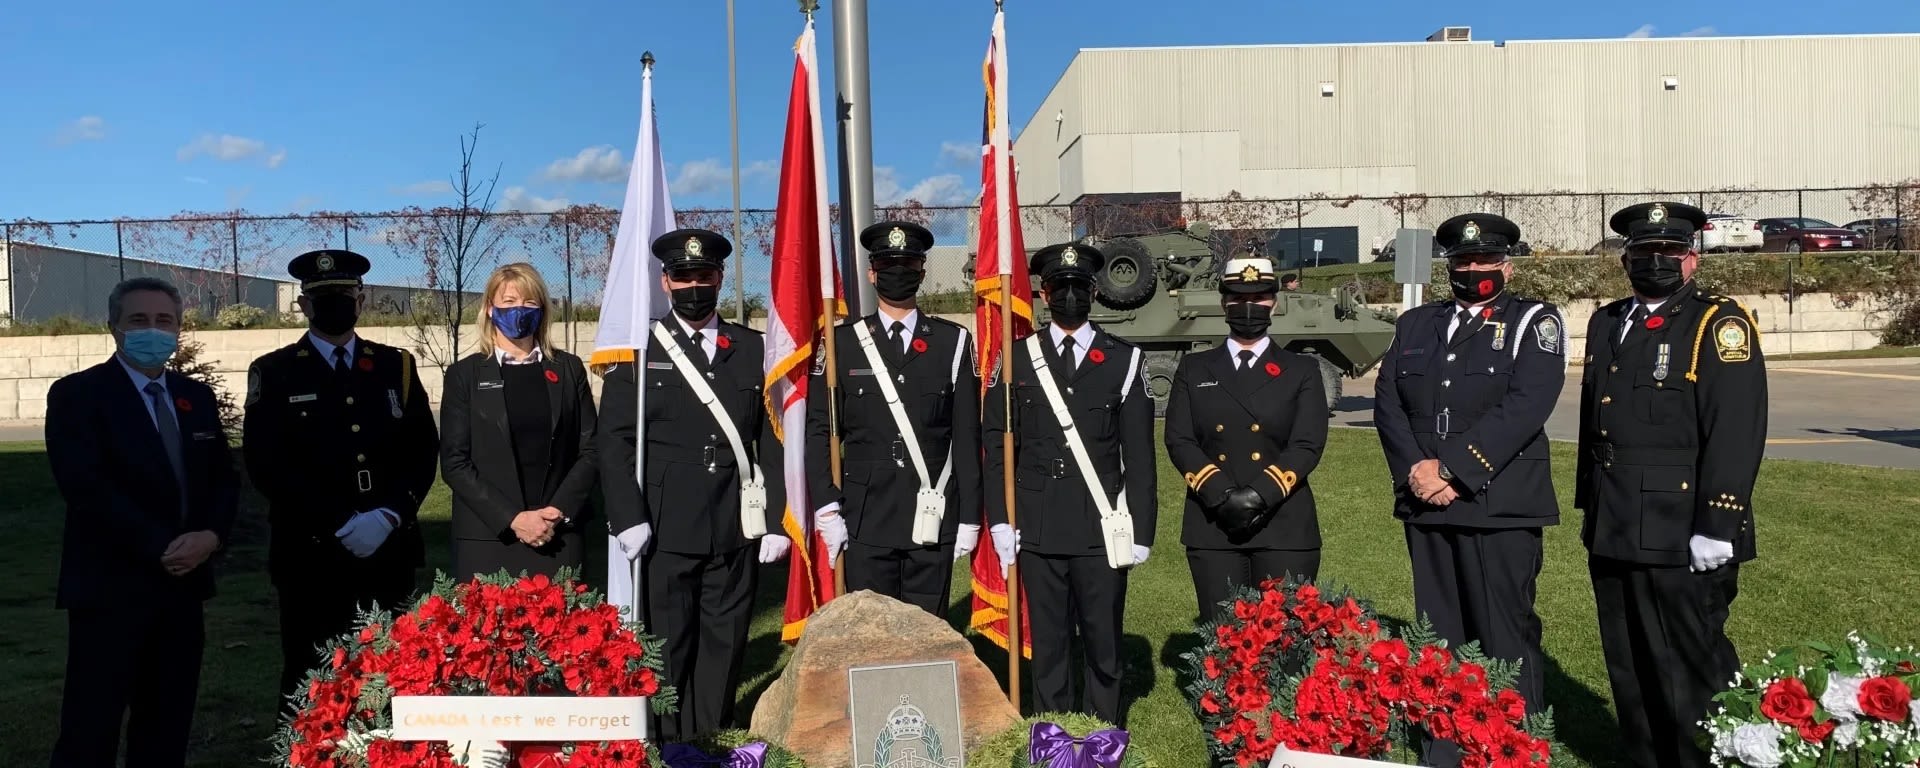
x: 940, y: 393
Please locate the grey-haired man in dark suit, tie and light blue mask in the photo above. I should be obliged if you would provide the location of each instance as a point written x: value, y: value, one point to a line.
x: 141, y: 460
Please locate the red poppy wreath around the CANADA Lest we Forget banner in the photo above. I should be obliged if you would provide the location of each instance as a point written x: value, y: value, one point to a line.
x: 491, y: 636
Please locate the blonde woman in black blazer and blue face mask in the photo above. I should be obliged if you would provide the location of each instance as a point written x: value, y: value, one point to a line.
x: 517, y: 439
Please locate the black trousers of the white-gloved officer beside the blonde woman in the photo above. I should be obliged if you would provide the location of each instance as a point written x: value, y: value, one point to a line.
x: 325, y: 604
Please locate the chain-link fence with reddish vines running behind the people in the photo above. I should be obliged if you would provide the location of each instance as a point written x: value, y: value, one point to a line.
x: 233, y: 270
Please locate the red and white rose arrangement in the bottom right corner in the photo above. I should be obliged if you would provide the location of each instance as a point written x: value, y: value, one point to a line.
x: 1819, y: 704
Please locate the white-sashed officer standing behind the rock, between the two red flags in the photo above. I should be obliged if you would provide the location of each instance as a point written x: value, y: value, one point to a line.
x: 871, y: 512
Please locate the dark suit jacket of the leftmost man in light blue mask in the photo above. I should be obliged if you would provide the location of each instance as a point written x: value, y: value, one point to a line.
x: 124, y: 504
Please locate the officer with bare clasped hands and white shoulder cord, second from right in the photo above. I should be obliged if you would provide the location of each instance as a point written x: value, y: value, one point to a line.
x: 1462, y: 406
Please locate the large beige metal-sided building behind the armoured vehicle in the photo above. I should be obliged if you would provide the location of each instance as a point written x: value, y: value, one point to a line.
x: 1462, y: 118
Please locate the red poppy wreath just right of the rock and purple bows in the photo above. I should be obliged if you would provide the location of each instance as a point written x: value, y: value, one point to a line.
x: 1316, y: 671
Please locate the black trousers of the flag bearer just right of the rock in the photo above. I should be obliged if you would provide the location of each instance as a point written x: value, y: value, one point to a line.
x: 1076, y: 596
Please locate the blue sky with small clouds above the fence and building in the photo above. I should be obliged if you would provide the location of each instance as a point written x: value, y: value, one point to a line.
x: 153, y: 108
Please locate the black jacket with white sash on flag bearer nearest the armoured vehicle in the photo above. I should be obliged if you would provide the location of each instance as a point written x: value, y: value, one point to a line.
x: 1055, y: 514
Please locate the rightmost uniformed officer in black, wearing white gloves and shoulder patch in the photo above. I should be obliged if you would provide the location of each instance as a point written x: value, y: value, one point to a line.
x: 1673, y: 423
